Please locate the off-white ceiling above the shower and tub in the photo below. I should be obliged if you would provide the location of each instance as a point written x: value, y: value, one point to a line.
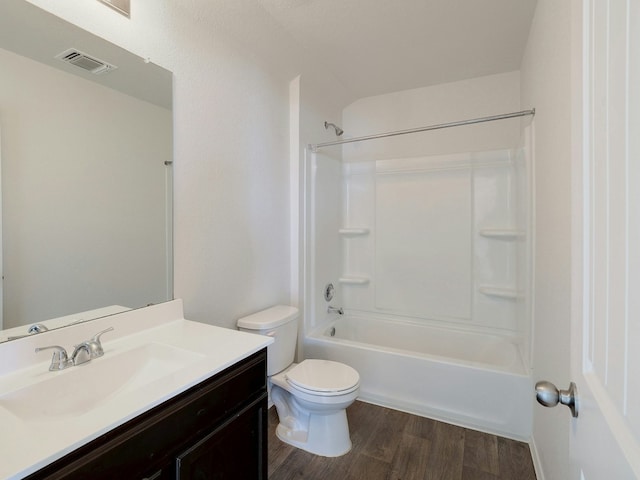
x: 380, y: 46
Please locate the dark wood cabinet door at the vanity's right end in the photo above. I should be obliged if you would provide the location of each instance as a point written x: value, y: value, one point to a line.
x: 234, y: 451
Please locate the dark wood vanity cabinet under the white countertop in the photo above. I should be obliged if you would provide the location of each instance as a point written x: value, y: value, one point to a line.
x: 215, y: 430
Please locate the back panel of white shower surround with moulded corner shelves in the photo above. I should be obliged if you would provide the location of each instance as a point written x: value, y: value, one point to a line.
x: 435, y: 238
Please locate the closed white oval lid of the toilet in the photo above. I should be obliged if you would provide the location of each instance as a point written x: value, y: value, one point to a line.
x: 323, y: 376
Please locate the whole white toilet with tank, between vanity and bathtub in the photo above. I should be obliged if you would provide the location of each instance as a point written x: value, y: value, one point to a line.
x: 310, y: 397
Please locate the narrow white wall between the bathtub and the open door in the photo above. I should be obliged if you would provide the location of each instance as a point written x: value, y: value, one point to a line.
x: 546, y: 85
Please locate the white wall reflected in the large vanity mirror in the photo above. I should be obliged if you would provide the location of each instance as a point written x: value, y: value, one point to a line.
x: 83, y: 194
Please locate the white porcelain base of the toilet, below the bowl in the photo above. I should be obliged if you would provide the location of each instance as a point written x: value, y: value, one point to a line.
x: 327, y: 435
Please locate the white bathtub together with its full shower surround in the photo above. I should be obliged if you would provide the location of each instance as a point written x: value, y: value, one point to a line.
x: 428, y: 256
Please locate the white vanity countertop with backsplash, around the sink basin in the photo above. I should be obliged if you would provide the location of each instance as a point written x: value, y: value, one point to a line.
x: 27, y: 446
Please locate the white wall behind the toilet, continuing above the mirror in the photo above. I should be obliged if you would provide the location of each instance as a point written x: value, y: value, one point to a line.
x: 231, y: 143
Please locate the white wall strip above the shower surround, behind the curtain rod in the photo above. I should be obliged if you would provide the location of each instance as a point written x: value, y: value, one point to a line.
x: 450, y: 102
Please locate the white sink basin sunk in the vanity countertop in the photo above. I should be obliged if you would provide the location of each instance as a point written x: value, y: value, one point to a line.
x: 77, y: 390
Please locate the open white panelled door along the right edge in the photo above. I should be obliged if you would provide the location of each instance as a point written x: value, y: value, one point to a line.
x: 606, y: 241
